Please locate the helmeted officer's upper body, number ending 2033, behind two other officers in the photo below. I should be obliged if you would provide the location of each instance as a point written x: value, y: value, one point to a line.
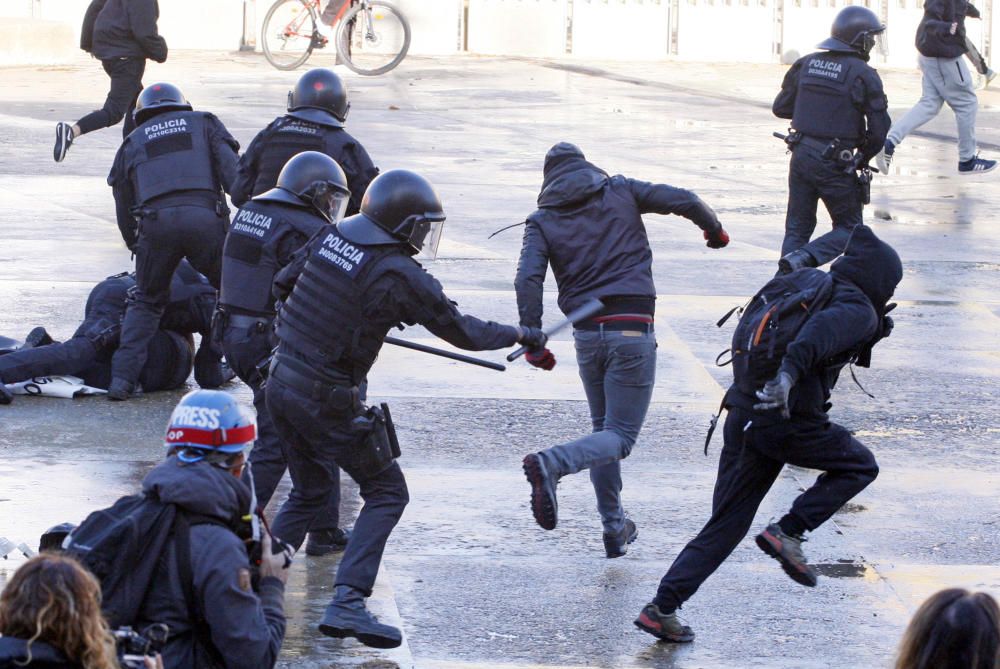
x: 317, y: 111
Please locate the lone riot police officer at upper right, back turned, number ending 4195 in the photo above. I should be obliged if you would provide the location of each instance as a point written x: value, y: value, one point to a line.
x: 839, y: 122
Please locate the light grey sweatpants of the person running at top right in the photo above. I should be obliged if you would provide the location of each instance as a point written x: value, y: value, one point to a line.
x: 945, y: 80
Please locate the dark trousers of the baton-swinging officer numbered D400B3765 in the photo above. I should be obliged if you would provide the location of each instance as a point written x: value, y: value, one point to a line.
x: 317, y: 439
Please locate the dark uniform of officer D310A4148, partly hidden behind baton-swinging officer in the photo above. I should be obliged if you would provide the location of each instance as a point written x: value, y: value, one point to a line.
x: 261, y: 240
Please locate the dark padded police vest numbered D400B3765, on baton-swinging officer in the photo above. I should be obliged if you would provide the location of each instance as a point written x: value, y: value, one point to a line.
x: 323, y: 319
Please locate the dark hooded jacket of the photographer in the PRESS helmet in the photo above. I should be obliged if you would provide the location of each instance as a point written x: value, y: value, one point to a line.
x: 247, y: 629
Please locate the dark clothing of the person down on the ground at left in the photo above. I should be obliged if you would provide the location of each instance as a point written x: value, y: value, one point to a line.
x: 88, y: 352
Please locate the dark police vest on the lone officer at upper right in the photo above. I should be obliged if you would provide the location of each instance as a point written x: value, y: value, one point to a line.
x: 823, y: 104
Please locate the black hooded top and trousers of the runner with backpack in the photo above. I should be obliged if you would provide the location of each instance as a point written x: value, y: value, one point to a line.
x: 759, y: 443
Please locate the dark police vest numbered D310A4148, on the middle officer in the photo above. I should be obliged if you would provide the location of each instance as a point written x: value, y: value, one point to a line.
x: 250, y: 254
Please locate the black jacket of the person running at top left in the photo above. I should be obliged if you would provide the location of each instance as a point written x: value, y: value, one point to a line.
x: 123, y: 28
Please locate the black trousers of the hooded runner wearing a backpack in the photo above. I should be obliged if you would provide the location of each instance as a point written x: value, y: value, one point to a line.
x: 751, y: 460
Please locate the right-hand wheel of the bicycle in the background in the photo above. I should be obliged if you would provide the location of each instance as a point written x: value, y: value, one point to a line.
x: 373, y: 37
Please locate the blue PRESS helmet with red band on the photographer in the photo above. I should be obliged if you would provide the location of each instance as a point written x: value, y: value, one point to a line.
x: 209, y: 425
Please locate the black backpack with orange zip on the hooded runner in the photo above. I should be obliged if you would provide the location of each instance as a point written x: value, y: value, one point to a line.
x: 770, y: 321
